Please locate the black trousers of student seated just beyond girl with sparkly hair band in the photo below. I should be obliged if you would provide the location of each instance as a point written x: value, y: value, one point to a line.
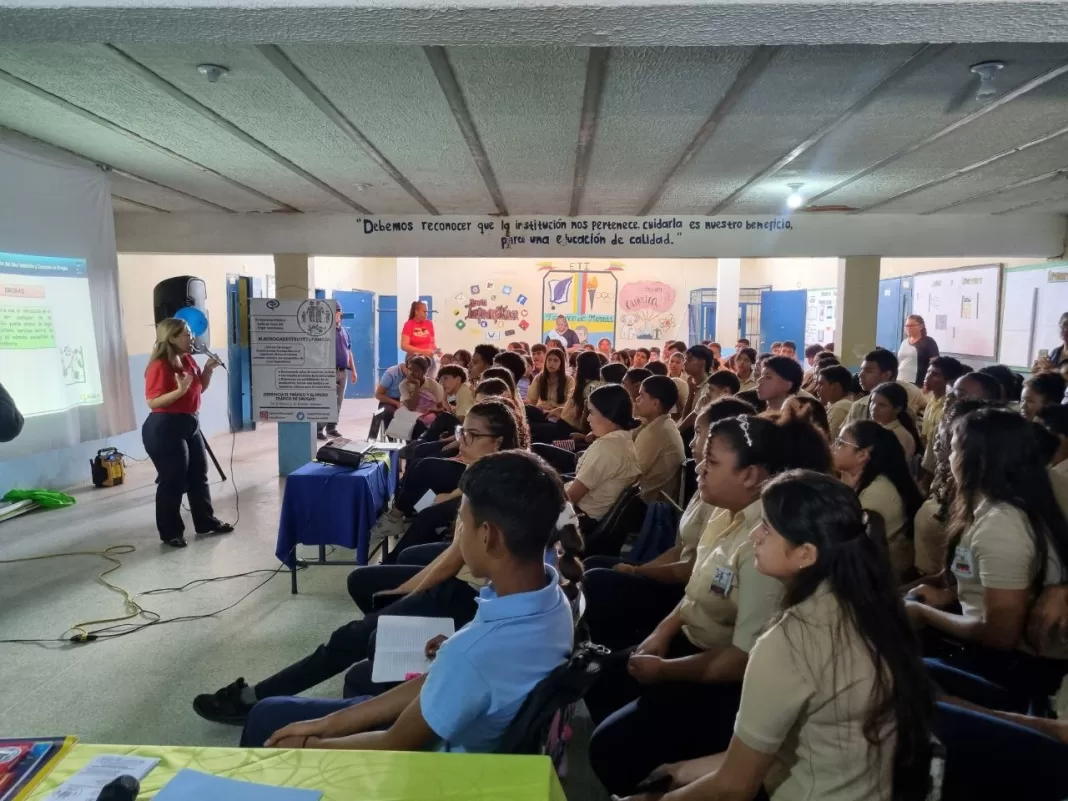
x: 622, y: 610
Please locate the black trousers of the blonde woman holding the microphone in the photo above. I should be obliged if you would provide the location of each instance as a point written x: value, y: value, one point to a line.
x: 177, y: 449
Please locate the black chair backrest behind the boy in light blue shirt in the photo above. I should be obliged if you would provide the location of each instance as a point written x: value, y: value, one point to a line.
x: 529, y: 731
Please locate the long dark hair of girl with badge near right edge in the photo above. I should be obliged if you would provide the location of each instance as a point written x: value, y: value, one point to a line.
x: 999, y: 460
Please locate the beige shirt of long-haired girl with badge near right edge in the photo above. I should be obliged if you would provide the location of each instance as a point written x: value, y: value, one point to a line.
x: 997, y: 553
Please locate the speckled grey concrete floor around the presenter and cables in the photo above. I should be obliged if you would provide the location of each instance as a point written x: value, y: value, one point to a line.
x: 139, y: 689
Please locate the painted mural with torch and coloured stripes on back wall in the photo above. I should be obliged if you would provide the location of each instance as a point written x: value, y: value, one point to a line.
x: 583, y: 304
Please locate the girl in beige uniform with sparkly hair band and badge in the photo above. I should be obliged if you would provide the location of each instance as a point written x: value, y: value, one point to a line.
x: 686, y: 676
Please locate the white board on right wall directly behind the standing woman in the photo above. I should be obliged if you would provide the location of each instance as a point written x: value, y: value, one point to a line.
x: 962, y: 309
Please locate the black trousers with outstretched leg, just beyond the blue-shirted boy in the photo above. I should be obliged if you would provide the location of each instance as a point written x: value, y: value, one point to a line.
x: 353, y: 643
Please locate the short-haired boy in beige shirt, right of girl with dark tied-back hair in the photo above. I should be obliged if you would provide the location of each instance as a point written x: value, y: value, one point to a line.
x: 659, y: 445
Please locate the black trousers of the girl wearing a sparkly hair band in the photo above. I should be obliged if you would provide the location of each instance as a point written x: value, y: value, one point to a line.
x: 654, y: 725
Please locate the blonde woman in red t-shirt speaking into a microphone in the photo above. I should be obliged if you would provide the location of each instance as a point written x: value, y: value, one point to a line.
x: 174, y: 385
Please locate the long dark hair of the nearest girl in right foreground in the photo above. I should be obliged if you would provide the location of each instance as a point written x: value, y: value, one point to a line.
x: 808, y: 508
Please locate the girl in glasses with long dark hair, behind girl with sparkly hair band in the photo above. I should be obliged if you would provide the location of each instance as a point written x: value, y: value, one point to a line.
x: 871, y: 461
